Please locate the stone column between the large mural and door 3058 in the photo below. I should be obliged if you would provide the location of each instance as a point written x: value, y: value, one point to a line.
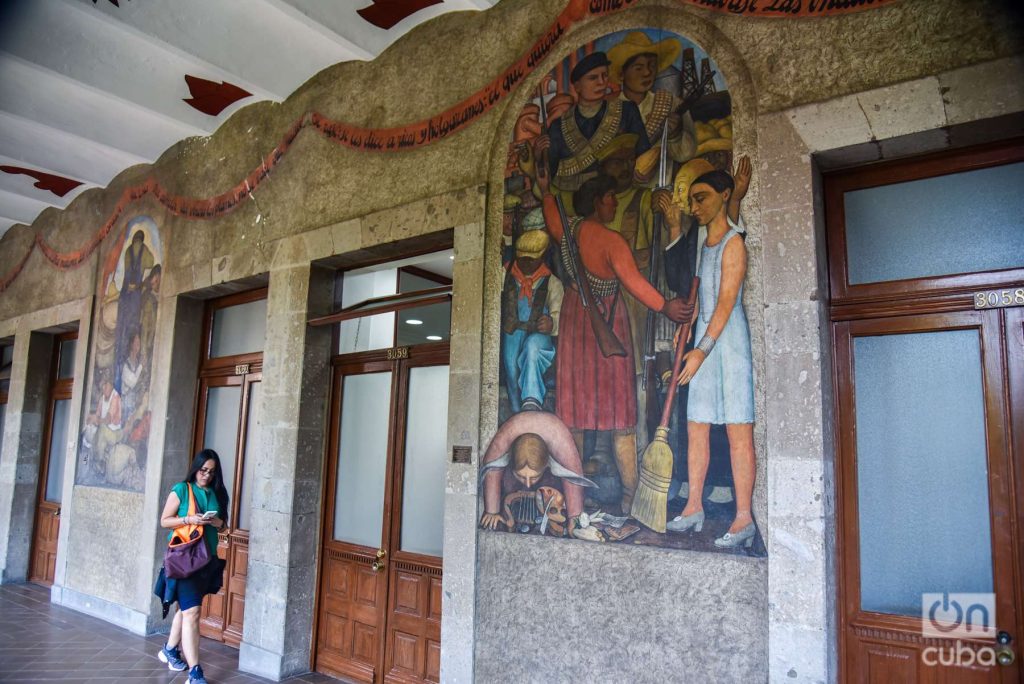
x: 801, y: 534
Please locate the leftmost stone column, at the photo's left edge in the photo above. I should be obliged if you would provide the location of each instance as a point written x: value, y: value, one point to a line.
x: 24, y: 427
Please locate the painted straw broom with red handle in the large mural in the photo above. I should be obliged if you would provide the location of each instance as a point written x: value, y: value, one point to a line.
x: 652, y: 502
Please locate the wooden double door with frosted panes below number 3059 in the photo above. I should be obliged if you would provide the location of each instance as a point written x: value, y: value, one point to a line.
x: 380, y: 589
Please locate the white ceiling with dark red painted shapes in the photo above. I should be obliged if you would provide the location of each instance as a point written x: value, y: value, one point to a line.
x: 92, y: 88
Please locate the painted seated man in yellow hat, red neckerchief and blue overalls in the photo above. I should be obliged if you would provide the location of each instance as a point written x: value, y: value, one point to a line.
x: 532, y: 300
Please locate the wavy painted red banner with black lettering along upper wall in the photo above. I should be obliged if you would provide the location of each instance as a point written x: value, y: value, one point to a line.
x: 415, y: 136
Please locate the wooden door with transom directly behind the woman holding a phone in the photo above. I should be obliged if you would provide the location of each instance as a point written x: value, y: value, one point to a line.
x: 228, y: 419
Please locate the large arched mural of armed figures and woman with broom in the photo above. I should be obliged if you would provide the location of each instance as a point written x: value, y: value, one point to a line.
x: 627, y: 386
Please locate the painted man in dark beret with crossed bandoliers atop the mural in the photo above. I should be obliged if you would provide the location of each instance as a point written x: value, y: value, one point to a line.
x: 576, y: 140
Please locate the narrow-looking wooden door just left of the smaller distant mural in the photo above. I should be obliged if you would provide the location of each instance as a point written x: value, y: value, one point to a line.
x: 47, y: 527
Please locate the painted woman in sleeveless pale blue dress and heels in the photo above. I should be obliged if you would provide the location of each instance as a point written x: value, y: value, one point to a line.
x: 720, y: 368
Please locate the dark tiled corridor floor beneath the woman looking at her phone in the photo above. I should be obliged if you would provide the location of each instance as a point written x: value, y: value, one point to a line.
x: 40, y: 642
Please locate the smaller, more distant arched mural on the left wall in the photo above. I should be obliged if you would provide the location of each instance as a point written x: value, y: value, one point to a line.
x: 113, y: 445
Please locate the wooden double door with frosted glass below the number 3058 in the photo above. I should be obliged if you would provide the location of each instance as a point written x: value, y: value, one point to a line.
x: 885, y: 637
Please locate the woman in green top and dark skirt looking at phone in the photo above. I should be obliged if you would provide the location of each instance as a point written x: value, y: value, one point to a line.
x: 207, y: 485
